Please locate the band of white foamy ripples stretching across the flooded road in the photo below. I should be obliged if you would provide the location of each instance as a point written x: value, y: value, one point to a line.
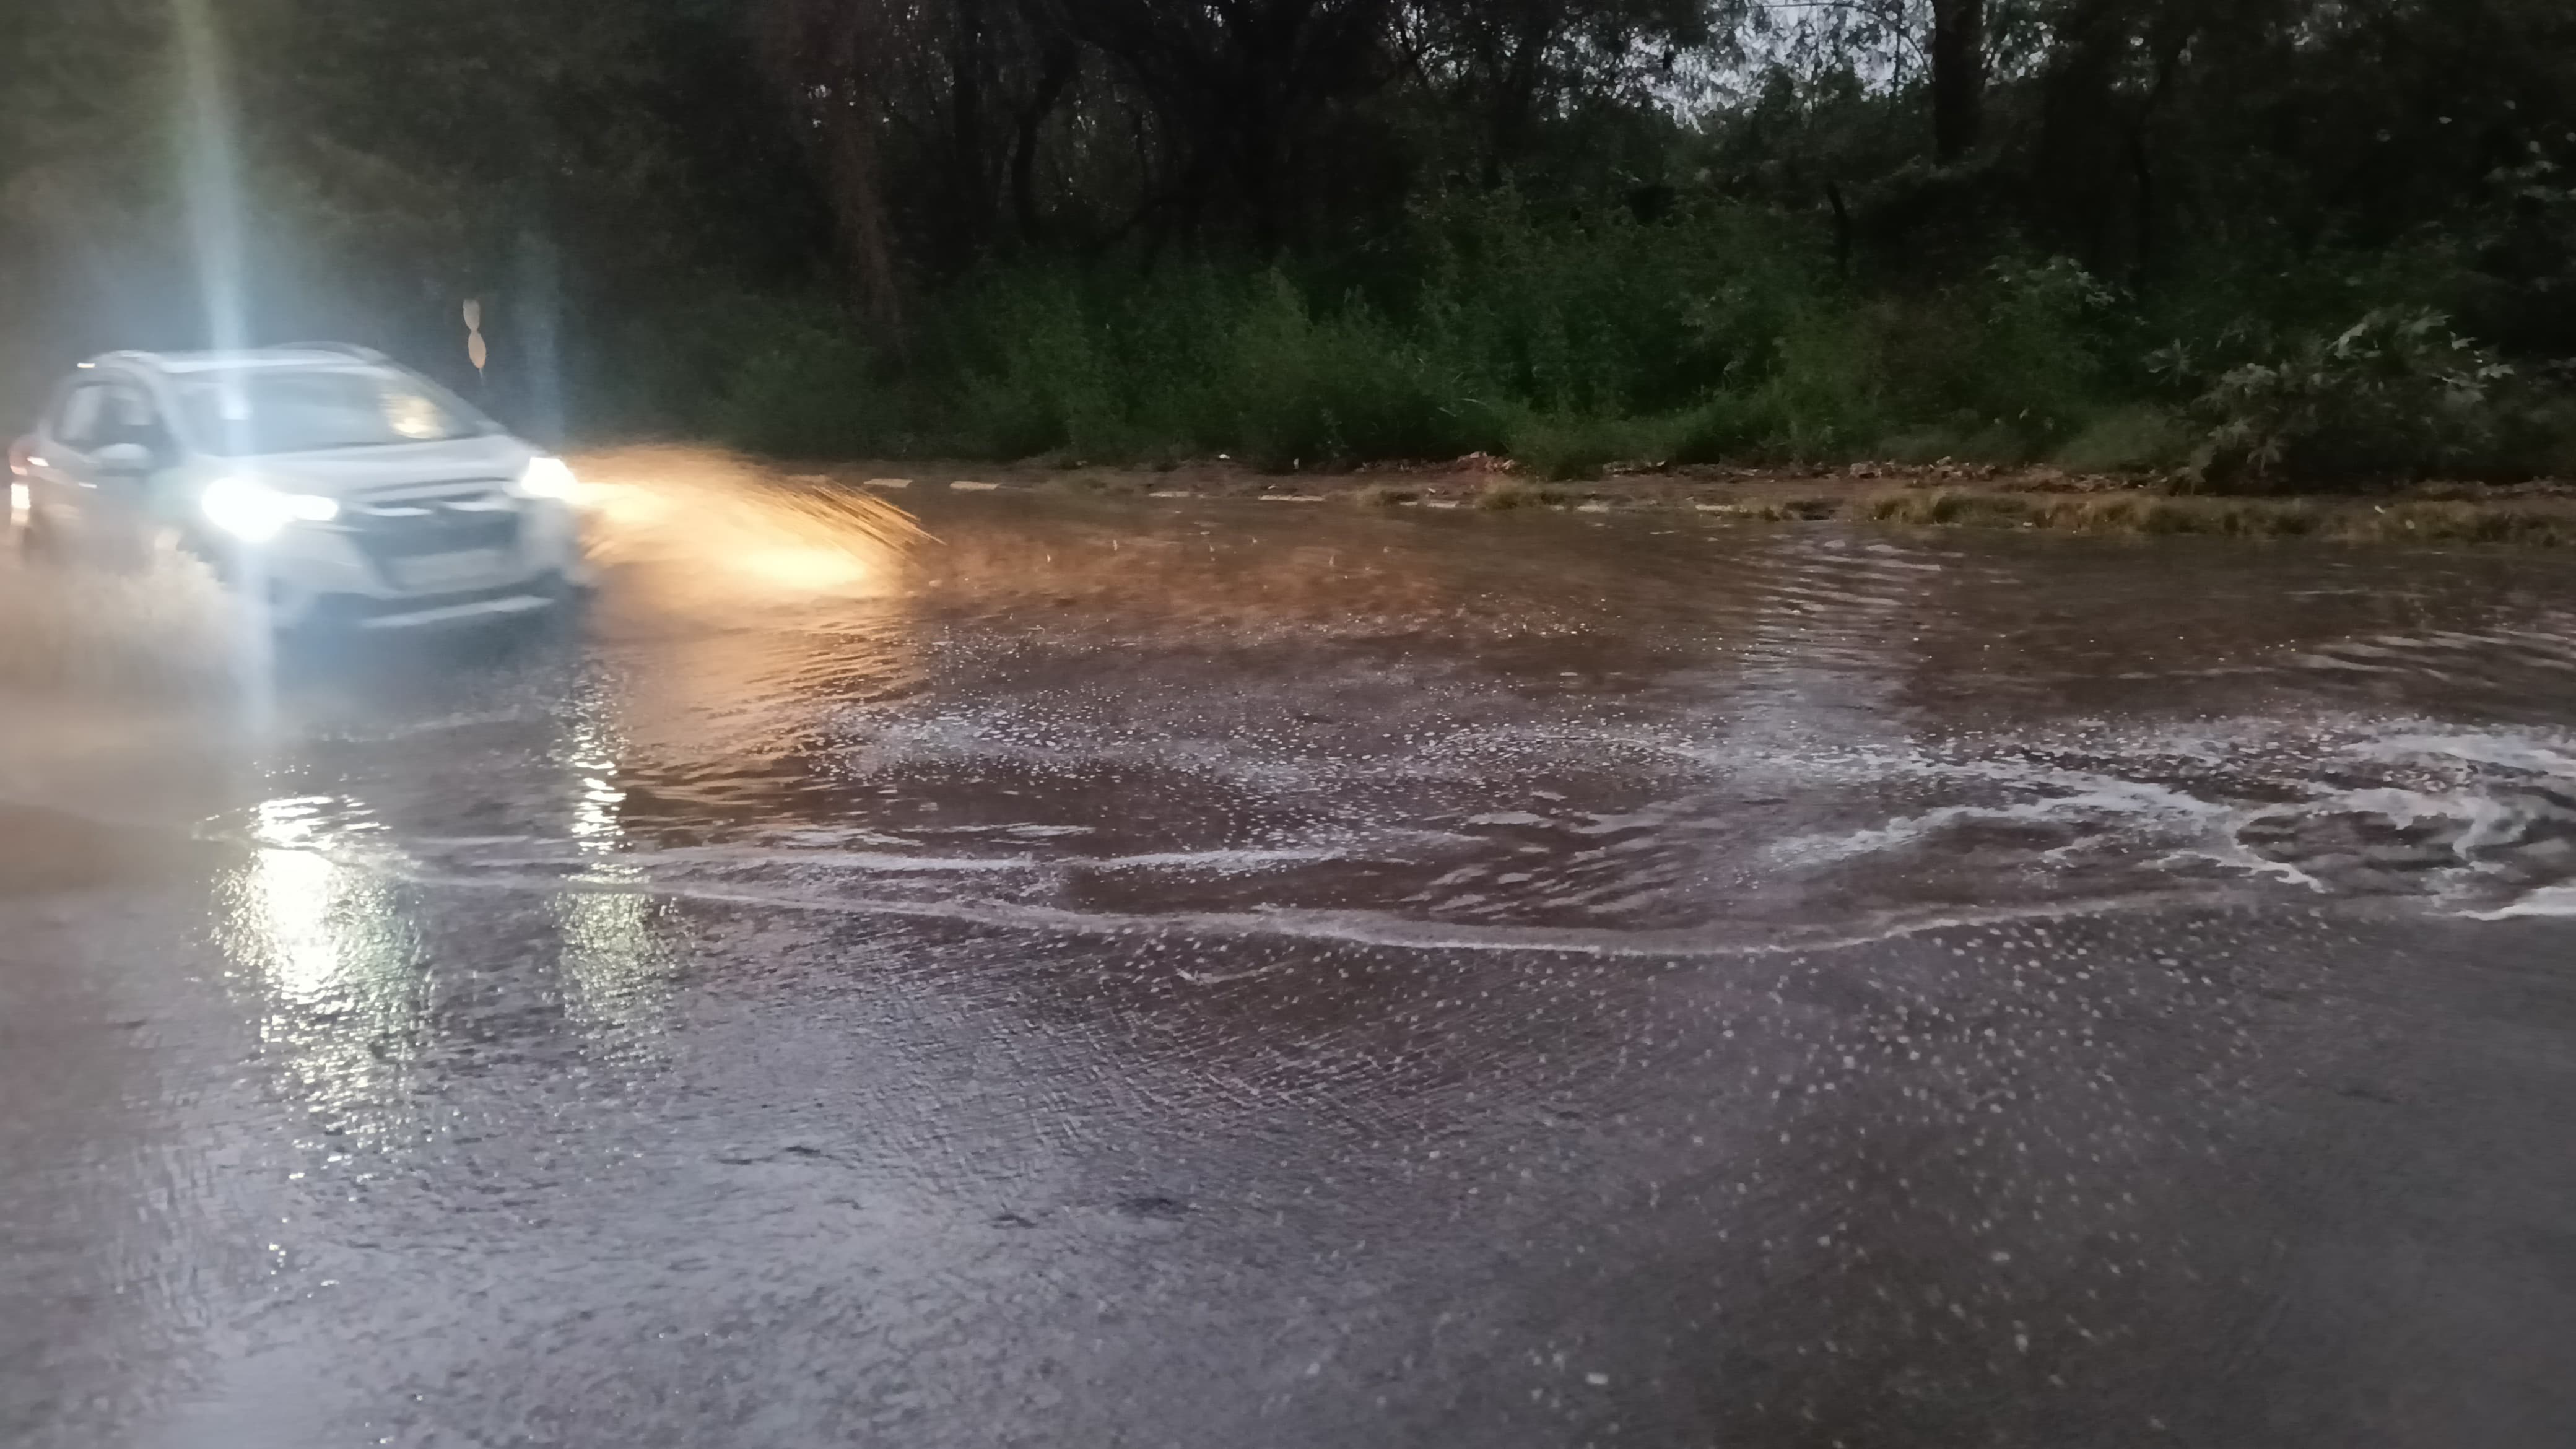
x: 2343, y: 808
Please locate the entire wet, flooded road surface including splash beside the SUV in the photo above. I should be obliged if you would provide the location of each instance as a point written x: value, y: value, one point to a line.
x: 1274, y: 976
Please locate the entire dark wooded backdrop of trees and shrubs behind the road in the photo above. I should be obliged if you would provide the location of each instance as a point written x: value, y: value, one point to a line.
x: 1331, y: 231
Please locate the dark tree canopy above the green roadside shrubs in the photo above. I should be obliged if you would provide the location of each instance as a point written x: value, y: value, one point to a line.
x: 705, y: 169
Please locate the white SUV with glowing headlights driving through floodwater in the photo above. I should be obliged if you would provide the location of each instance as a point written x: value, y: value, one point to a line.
x: 323, y: 483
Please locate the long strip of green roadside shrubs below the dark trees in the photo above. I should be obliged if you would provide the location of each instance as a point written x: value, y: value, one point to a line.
x: 1575, y: 344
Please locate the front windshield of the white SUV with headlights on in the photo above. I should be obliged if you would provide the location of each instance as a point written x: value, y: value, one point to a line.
x: 241, y: 414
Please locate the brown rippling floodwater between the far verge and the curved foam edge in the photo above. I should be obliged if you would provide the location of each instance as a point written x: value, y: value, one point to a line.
x: 1596, y: 736
